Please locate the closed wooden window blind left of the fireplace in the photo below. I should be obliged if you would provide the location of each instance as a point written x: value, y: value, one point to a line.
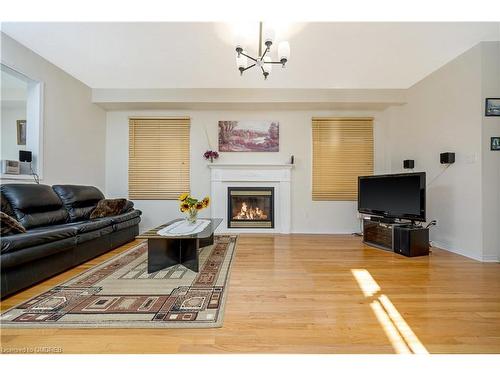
x: 158, y: 166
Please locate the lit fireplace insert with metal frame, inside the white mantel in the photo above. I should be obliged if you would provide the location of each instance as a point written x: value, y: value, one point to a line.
x: 250, y: 207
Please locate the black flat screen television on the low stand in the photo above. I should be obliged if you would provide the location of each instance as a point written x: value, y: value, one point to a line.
x: 393, y: 196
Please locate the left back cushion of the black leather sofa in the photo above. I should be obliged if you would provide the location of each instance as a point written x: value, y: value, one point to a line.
x: 35, y: 205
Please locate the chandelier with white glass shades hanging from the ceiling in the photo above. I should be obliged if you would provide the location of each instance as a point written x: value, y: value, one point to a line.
x: 263, y: 60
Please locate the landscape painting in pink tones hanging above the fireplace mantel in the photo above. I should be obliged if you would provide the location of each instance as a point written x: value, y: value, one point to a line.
x: 249, y: 136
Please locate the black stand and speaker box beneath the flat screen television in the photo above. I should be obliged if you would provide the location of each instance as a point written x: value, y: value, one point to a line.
x: 406, y: 238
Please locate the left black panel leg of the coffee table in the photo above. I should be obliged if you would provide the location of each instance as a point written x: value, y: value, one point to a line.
x: 163, y: 253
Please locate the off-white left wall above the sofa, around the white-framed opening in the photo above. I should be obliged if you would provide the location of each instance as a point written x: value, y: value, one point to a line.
x: 74, y: 127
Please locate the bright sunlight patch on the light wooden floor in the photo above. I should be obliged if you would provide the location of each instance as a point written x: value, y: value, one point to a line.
x: 399, y: 333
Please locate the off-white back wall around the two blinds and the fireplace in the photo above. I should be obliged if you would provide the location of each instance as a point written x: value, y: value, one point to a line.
x: 295, y: 139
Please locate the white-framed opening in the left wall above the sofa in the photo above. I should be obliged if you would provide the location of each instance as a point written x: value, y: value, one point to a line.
x: 21, y: 125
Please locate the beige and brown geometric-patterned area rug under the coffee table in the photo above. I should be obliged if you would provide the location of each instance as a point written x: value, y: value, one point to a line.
x: 121, y: 294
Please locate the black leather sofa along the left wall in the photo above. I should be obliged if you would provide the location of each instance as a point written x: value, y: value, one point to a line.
x: 59, y: 233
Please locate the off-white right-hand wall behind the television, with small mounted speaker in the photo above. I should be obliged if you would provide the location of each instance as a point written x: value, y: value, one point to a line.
x: 445, y: 113
